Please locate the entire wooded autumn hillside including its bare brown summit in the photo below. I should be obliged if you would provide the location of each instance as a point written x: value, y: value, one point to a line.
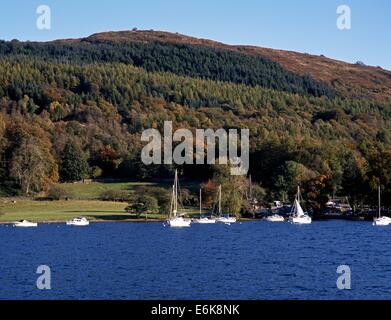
x: 75, y: 108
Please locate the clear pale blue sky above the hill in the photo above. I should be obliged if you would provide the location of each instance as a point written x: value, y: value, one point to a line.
x: 300, y: 25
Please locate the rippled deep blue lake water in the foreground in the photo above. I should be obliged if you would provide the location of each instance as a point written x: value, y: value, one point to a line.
x: 252, y: 260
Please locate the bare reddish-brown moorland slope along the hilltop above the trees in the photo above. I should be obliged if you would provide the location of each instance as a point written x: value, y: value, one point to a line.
x: 354, y: 80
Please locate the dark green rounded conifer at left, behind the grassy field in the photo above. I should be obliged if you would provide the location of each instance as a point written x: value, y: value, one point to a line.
x: 73, y: 164
